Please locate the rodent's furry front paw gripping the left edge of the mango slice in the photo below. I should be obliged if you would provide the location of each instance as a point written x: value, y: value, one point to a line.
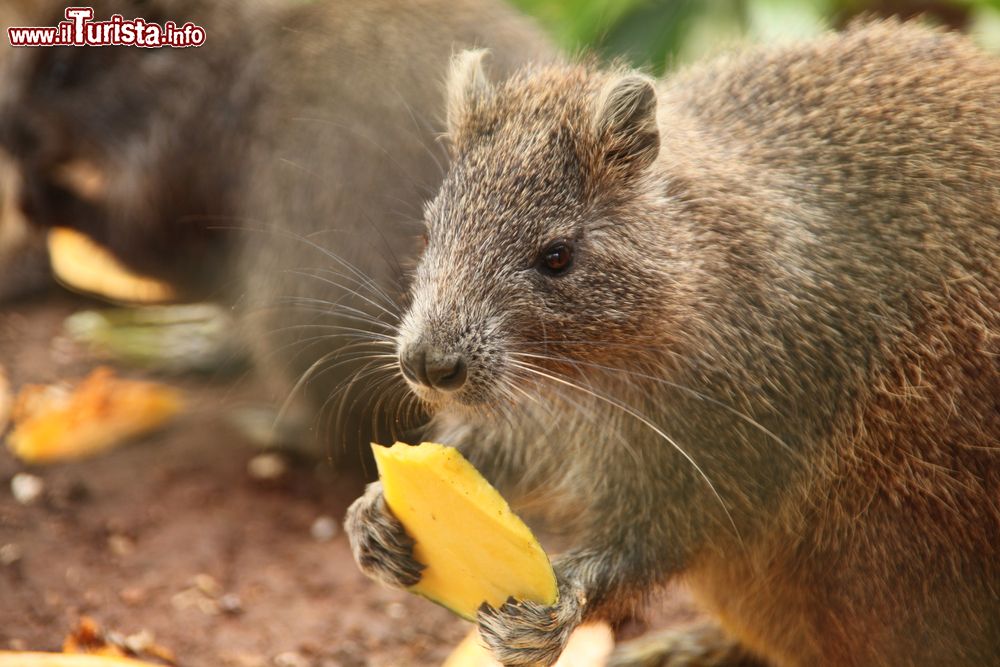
x: 381, y: 546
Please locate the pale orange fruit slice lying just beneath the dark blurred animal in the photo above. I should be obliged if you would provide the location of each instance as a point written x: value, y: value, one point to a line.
x: 83, y: 265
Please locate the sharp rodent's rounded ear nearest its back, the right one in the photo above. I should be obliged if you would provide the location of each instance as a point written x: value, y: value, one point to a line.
x: 625, y: 124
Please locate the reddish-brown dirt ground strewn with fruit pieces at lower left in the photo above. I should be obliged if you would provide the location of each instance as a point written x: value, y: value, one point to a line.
x: 172, y: 536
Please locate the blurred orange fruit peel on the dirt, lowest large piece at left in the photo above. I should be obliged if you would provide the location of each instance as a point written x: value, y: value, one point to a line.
x: 55, y: 423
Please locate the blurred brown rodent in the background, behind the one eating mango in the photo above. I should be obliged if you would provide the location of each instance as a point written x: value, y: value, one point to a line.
x: 280, y: 167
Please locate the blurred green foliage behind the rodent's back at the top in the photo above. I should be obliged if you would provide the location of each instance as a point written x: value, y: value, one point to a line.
x: 659, y: 33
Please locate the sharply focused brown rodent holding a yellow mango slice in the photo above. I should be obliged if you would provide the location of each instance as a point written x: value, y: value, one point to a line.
x: 742, y: 327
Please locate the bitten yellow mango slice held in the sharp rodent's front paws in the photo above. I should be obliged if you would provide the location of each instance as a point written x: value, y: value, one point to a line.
x: 475, y: 548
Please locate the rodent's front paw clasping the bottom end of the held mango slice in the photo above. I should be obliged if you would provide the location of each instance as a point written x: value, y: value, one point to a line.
x: 526, y: 633
